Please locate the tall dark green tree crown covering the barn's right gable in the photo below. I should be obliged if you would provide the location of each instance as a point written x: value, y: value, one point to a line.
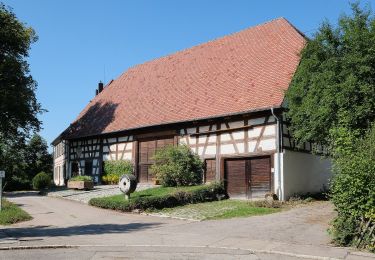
x: 334, y: 85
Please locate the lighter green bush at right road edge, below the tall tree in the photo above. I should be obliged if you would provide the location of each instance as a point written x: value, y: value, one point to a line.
x: 353, y: 189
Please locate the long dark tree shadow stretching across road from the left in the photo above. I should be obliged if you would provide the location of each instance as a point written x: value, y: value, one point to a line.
x: 92, y: 229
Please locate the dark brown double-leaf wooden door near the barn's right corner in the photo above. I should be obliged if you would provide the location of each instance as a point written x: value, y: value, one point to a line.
x: 248, y: 178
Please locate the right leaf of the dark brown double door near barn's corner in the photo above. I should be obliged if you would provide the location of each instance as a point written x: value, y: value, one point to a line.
x: 260, y: 177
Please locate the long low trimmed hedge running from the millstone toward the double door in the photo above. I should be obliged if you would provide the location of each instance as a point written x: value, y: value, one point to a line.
x: 211, y: 192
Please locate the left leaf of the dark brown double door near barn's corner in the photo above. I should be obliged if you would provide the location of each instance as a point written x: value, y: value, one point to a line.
x: 236, y: 178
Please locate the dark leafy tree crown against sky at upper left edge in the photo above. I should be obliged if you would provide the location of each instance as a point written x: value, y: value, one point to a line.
x: 18, y: 104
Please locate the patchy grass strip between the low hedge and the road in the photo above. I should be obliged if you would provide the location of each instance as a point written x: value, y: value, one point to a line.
x: 216, y: 210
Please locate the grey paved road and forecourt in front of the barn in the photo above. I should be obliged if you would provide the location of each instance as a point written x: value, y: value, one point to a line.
x: 92, y: 233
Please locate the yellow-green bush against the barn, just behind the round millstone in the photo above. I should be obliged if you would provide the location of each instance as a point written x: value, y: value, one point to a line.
x: 113, y: 170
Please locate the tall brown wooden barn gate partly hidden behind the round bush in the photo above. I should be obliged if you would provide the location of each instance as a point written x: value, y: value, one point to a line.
x: 146, y: 150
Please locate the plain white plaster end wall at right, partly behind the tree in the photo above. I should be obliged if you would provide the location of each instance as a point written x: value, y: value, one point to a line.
x: 303, y: 173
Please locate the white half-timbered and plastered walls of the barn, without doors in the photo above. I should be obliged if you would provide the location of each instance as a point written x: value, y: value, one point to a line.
x: 292, y: 172
